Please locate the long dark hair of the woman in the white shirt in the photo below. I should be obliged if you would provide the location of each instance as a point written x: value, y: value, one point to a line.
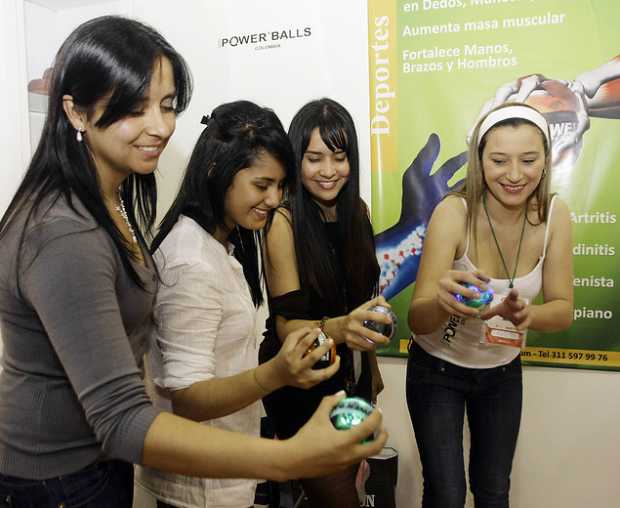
x: 237, y: 133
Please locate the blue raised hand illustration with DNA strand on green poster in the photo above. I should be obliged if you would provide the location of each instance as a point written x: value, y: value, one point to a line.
x: 399, y: 247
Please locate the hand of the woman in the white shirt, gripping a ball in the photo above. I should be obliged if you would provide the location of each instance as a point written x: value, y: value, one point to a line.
x: 293, y: 365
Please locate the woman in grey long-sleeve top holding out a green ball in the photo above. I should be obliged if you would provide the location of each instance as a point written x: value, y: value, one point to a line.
x: 77, y: 288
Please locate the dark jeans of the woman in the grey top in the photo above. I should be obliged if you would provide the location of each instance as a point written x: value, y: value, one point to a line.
x: 101, y: 485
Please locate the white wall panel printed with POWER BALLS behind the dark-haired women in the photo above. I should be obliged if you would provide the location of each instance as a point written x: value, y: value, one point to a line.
x: 284, y: 77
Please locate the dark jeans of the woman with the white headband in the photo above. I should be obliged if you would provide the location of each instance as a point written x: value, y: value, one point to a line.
x: 438, y: 394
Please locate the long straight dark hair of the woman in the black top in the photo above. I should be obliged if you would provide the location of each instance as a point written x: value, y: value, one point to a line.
x: 315, y: 266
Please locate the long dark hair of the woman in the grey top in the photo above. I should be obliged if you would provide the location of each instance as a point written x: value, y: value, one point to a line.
x: 113, y: 56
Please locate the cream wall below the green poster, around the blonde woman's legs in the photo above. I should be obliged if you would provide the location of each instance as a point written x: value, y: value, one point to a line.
x: 568, y: 451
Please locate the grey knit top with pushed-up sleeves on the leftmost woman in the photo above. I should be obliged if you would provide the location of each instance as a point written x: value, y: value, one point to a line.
x: 74, y: 326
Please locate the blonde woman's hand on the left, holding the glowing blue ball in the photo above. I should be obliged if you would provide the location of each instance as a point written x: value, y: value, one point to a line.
x: 452, y: 283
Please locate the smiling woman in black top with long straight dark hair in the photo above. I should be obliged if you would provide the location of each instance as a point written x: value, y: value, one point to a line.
x: 322, y: 271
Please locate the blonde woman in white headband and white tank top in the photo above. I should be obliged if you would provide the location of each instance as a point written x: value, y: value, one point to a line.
x: 502, y: 231
